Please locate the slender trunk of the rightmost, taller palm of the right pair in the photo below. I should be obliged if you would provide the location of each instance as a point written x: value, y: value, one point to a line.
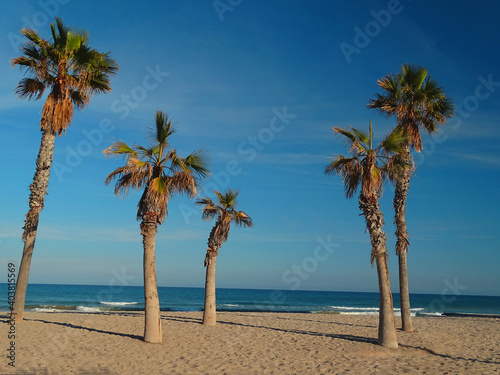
x: 402, y: 187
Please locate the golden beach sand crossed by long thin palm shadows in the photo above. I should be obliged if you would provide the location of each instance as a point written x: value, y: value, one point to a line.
x: 248, y: 343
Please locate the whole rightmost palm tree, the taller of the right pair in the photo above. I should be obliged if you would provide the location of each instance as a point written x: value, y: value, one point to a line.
x: 417, y: 101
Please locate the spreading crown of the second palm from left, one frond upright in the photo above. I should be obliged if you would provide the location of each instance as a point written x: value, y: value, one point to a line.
x: 158, y: 169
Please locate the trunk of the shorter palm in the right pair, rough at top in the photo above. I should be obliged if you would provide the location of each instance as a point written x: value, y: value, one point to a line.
x: 387, y: 336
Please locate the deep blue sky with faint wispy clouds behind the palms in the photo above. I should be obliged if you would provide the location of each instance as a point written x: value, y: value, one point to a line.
x: 259, y: 85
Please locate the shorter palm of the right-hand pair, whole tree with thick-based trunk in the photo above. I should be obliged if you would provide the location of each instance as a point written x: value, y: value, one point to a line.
x: 368, y: 167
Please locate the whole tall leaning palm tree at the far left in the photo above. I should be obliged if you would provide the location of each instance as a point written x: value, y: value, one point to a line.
x: 72, y: 72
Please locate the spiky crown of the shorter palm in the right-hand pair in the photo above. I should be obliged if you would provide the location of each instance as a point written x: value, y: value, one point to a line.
x: 367, y: 166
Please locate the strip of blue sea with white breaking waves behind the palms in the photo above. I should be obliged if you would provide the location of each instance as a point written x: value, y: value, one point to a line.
x: 95, y: 298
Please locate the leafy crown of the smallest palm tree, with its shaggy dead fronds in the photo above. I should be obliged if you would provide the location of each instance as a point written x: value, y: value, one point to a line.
x: 226, y: 213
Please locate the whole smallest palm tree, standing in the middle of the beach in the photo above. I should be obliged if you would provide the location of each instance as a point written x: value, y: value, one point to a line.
x: 226, y: 213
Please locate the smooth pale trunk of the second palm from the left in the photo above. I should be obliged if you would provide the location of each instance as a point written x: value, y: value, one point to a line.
x: 152, y: 323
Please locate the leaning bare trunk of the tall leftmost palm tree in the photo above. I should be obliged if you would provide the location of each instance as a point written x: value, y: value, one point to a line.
x: 38, y: 190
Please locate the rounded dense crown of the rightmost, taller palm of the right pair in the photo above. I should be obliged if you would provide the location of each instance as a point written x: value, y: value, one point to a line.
x: 416, y: 100
